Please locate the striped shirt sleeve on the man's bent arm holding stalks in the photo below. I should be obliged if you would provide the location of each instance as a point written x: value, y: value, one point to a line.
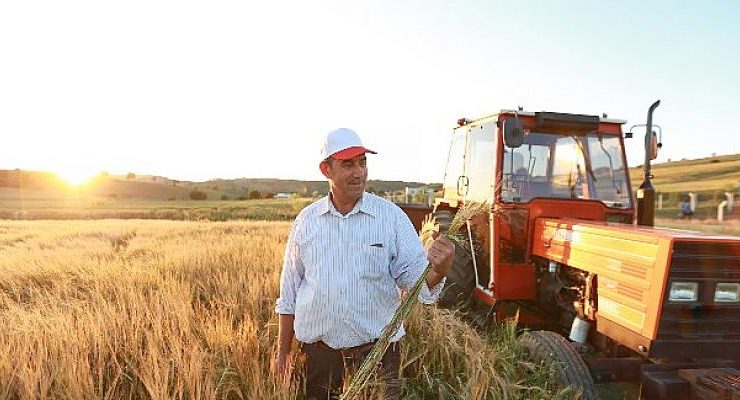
x: 410, y: 260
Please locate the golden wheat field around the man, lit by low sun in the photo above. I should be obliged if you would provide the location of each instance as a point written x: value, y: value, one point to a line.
x: 152, y: 309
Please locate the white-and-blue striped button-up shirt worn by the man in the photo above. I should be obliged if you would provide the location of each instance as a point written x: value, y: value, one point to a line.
x: 342, y: 274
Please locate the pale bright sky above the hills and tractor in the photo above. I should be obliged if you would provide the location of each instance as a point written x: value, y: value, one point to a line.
x: 226, y: 89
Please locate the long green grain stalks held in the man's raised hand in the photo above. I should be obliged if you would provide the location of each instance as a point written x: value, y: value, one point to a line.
x: 361, y: 378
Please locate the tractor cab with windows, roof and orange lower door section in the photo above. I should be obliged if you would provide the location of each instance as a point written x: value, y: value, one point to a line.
x: 529, y: 166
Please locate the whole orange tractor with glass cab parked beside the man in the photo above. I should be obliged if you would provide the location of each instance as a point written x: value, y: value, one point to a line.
x: 567, y: 248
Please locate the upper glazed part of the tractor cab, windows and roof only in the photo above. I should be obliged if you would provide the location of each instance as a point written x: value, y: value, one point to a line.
x: 515, y: 157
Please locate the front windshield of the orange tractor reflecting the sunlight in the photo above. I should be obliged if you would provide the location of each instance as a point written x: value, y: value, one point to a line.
x: 574, y: 167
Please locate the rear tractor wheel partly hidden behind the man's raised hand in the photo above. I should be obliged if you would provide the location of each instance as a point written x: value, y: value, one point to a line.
x: 461, y: 278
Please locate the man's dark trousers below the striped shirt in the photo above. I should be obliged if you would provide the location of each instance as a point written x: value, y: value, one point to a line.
x: 325, y: 369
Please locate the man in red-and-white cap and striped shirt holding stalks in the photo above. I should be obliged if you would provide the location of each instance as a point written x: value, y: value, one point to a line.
x: 346, y: 258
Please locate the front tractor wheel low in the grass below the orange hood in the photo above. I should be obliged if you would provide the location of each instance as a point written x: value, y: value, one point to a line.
x: 570, y: 368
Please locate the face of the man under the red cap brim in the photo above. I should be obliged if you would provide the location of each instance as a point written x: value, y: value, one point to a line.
x: 347, y: 178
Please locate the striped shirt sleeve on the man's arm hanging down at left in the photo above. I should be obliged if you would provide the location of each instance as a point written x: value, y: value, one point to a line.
x: 292, y: 273
